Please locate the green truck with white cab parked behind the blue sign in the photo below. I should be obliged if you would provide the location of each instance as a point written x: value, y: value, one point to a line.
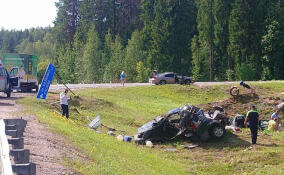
x: 22, y: 70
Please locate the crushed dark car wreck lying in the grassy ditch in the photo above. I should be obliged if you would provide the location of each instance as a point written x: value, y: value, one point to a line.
x: 184, y: 122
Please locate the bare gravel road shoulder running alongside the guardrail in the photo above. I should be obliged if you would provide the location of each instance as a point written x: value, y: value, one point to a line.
x: 46, y: 148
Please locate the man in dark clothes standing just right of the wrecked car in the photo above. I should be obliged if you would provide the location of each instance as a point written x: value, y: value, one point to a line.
x: 252, y: 118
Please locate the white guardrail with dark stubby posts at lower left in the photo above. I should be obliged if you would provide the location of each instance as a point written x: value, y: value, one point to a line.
x: 14, y: 128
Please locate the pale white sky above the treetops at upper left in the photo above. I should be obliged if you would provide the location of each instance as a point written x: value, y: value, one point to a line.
x: 25, y: 14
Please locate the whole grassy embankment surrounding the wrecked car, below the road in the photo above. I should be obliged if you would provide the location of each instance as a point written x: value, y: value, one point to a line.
x: 125, y: 109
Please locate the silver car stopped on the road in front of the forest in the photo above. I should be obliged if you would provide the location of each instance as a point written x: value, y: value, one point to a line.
x: 170, y: 78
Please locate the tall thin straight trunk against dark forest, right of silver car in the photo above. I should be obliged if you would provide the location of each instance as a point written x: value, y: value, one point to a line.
x: 211, y: 43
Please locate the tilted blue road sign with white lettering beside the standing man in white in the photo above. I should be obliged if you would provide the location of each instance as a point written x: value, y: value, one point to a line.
x: 47, y: 80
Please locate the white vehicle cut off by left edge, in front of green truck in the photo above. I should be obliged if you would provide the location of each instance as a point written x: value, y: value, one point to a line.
x: 4, y: 80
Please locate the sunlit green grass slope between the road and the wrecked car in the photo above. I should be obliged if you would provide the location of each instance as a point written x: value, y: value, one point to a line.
x: 128, y: 108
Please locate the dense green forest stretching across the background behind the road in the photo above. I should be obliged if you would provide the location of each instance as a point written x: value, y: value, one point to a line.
x: 93, y: 41
